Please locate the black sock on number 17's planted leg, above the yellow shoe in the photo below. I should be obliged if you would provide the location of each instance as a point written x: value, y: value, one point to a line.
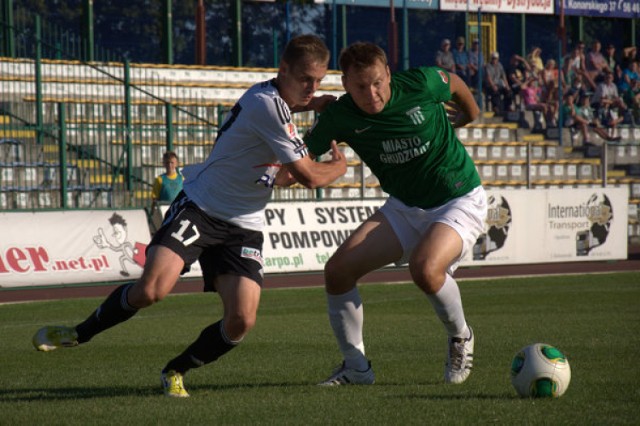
x: 209, y: 346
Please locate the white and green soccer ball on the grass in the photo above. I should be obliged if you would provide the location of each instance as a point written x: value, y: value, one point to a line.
x: 540, y: 370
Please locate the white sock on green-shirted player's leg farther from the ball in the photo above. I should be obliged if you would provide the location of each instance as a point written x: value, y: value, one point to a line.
x: 346, y: 317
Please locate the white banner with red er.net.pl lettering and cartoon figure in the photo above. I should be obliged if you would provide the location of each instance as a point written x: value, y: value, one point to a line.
x: 40, y: 248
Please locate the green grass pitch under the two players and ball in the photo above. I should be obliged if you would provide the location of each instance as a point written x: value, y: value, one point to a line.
x: 269, y: 379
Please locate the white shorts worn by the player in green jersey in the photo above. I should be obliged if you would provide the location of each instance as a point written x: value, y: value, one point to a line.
x: 466, y: 215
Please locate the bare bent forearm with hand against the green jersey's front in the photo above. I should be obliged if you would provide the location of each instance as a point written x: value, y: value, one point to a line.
x: 314, y: 174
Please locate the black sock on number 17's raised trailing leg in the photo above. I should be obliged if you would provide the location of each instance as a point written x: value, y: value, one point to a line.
x: 114, y: 310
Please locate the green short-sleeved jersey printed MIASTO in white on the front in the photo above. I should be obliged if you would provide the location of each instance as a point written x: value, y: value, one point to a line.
x: 410, y: 146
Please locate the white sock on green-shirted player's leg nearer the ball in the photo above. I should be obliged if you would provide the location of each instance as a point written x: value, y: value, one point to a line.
x: 447, y: 303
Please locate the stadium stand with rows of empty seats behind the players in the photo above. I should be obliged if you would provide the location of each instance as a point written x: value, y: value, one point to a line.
x: 113, y: 144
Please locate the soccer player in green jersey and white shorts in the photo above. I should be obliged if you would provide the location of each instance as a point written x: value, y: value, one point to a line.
x: 400, y: 128
